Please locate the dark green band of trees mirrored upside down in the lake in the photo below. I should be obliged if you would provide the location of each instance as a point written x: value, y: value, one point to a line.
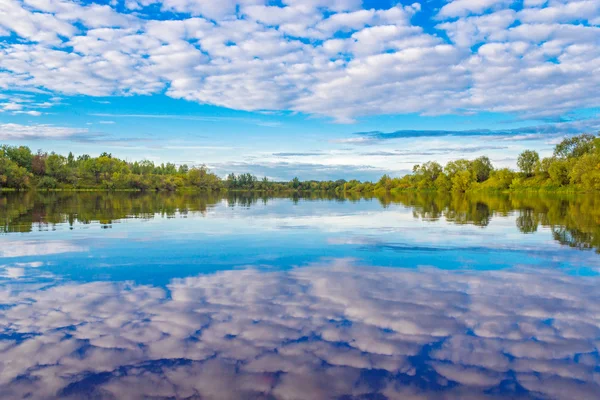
x: 573, y: 220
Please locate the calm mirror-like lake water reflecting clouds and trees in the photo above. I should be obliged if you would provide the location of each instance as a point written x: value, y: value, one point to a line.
x: 109, y: 296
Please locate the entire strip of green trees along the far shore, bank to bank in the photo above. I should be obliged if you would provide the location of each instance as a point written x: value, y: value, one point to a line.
x: 574, y: 167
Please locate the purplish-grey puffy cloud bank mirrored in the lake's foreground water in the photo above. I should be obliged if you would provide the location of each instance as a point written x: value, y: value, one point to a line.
x: 329, y: 330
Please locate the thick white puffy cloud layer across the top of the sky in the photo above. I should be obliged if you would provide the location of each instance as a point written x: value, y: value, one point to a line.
x: 324, y: 57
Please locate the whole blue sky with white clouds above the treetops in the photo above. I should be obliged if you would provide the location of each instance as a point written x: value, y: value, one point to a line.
x: 319, y: 89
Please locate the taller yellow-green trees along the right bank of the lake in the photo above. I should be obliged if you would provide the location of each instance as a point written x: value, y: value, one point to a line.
x: 574, y: 166
